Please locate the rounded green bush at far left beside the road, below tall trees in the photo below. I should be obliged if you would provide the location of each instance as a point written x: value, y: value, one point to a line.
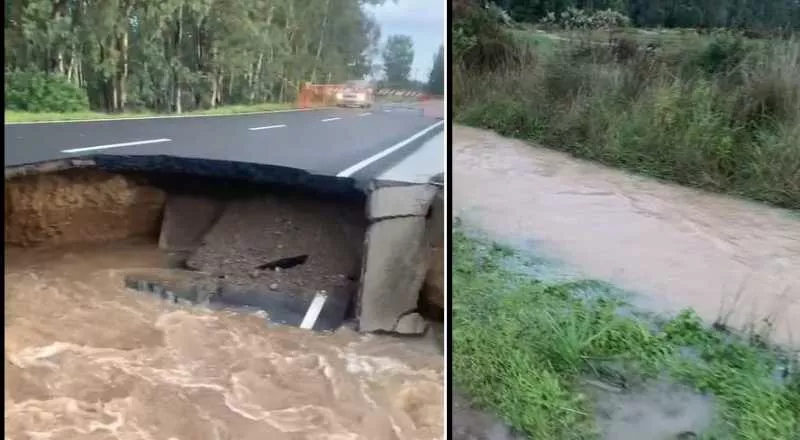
x: 38, y: 92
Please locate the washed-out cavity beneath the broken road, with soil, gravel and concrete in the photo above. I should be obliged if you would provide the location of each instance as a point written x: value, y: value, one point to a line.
x: 303, y: 258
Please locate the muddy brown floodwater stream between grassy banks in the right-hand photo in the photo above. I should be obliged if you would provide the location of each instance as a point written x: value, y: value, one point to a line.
x: 678, y: 246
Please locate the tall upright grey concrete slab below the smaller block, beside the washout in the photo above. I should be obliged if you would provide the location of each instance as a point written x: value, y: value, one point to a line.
x: 394, y: 268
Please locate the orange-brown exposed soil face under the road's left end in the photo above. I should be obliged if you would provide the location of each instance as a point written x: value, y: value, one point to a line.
x: 80, y: 206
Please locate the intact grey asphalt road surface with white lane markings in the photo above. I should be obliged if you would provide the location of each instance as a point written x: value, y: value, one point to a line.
x: 331, y: 141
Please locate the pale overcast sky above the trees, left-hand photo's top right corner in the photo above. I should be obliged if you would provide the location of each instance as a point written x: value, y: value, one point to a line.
x: 422, y: 20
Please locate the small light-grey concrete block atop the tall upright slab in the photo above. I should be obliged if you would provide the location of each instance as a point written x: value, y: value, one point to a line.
x: 398, y: 201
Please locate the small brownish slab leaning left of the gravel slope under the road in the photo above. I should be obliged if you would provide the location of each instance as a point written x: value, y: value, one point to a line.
x: 187, y: 218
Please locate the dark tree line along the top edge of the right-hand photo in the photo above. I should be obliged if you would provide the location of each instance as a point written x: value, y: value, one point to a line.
x: 740, y: 14
